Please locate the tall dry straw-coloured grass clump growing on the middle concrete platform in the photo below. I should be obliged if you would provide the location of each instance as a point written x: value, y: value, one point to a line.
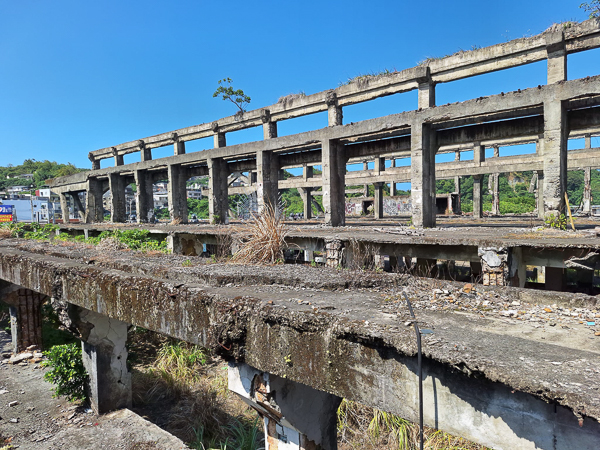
x: 262, y: 240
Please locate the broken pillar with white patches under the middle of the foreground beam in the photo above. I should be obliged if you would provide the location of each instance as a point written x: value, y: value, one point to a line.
x: 295, y: 416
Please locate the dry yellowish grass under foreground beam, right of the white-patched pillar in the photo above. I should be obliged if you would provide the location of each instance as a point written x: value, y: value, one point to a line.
x: 363, y: 427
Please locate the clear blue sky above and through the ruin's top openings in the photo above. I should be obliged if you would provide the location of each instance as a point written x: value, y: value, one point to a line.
x: 77, y: 76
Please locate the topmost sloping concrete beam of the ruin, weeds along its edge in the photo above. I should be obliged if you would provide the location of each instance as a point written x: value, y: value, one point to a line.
x: 577, y: 38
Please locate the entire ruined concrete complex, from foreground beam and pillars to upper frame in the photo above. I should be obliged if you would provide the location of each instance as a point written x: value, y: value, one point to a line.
x: 503, y: 387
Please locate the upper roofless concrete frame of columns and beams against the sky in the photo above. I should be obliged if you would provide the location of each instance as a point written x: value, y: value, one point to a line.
x: 547, y: 115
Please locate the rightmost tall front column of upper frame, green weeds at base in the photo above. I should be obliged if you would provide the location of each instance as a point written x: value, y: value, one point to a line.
x: 555, y: 157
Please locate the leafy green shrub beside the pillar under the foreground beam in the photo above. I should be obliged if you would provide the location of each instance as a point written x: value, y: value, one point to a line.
x: 67, y: 371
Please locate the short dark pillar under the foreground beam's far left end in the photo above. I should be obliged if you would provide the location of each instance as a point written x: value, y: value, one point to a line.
x: 25, y: 316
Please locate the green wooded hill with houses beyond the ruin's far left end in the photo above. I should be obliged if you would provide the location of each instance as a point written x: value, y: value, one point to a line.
x: 41, y: 171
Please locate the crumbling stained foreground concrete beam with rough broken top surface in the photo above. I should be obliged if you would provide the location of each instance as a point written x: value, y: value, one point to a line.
x: 354, y: 343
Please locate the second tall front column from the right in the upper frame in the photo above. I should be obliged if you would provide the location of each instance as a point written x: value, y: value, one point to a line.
x: 423, y: 175
